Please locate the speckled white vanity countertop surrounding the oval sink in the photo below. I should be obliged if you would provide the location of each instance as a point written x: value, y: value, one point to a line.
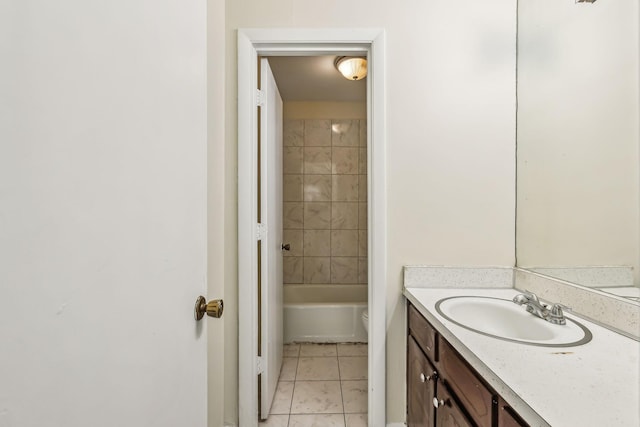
x: 596, y: 384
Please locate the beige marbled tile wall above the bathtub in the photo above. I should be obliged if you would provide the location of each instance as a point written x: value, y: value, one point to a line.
x: 325, y: 201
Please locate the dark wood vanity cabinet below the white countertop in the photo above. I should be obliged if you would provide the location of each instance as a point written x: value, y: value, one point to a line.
x: 443, y: 390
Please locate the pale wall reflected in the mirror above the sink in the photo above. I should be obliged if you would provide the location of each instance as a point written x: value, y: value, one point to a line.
x: 578, y: 123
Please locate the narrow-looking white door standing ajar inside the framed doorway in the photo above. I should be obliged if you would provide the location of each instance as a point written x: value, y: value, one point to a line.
x: 271, y: 248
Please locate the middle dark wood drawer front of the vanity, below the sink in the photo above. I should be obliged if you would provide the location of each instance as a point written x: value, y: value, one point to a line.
x: 465, y: 384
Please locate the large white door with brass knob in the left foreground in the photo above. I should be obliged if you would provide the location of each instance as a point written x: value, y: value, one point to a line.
x: 102, y: 213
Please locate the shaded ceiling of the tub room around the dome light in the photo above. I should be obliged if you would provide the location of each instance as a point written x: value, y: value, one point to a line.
x: 314, y: 78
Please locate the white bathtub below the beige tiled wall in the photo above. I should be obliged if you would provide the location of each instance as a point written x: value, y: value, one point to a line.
x: 309, y: 318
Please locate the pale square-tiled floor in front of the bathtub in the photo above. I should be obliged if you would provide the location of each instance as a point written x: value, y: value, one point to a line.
x: 321, y: 385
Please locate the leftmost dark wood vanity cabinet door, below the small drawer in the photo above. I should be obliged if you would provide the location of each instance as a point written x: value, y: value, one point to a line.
x: 420, y: 387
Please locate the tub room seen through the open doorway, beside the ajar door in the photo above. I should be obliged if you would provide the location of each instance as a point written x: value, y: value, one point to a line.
x: 324, y: 223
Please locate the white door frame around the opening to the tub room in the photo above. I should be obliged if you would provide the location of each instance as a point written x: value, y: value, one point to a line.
x: 307, y: 42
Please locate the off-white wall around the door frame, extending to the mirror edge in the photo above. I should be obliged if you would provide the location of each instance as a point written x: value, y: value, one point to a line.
x: 451, y: 130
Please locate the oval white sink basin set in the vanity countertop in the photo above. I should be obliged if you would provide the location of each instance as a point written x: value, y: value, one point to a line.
x: 503, y: 319
